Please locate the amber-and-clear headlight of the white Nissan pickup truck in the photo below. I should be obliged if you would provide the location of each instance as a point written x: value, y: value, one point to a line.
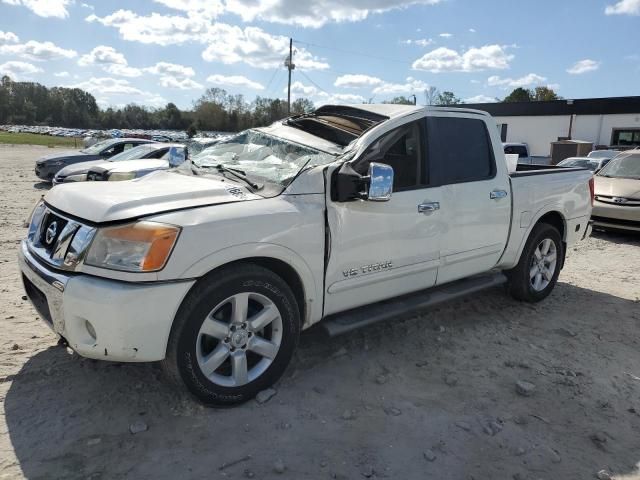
x: 137, y: 247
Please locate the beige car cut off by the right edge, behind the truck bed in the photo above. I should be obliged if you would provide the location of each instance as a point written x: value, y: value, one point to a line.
x: 617, y: 194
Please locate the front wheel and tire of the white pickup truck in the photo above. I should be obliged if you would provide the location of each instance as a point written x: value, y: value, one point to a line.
x: 251, y: 341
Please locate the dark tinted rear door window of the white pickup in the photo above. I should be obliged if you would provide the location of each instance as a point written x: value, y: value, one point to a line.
x: 459, y: 150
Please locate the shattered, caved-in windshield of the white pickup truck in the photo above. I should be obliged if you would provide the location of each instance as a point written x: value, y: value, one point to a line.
x: 258, y: 154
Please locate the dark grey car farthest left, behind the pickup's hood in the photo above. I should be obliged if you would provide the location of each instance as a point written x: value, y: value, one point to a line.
x: 48, y: 166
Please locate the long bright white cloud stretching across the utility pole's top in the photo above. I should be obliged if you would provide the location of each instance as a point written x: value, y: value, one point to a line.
x: 225, y: 43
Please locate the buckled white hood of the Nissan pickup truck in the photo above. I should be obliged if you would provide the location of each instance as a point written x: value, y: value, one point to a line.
x: 157, y: 192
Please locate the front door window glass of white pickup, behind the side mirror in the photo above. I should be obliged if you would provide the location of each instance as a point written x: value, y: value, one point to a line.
x: 401, y: 149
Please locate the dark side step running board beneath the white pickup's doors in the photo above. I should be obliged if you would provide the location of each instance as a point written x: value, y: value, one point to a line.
x: 344, y: 322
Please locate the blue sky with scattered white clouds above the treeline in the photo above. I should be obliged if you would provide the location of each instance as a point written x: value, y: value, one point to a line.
x: 151, y: 52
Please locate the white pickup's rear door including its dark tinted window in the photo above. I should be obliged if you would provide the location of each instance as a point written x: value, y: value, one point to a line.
x: 476, y: 203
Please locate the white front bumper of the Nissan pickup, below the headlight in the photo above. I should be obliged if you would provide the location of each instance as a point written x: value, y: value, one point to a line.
x: 104, y: 319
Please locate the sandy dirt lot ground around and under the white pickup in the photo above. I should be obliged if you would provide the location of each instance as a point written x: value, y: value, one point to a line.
x: 431, y: 396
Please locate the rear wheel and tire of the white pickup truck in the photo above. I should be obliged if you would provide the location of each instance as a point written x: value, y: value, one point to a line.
x: 536, y: 274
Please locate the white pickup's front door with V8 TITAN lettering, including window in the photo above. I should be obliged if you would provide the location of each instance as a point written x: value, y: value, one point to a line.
x: 380, y: 250
